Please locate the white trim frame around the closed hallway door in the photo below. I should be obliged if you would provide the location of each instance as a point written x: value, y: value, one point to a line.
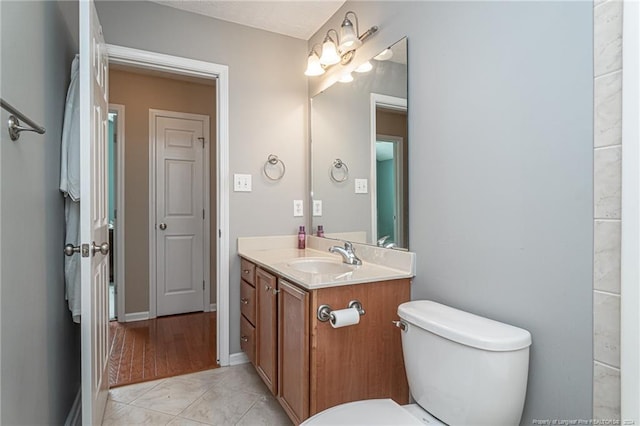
x: 206, y: 184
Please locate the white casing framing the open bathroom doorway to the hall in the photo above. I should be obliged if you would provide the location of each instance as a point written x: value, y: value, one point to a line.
x: 186, y: 68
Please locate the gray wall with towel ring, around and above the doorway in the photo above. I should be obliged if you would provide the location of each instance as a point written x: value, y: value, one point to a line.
x: 268, y: 110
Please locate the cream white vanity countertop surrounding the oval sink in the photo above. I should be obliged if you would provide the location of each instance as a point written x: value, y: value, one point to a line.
x: 278, y: 260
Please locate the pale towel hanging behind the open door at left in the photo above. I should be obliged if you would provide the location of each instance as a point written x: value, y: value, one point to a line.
x: 70, y: 187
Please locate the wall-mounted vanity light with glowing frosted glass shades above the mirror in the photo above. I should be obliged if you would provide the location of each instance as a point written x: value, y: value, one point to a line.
x: 338, y: 48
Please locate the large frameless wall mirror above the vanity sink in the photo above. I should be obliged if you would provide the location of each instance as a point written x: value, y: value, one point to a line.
x: 359, y: 146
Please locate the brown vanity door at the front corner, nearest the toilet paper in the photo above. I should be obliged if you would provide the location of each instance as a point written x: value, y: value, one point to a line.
x: 293, y: 363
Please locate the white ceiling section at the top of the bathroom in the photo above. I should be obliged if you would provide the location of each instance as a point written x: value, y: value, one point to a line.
x: 300, y: 18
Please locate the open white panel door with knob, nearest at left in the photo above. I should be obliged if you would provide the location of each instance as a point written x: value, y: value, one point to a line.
x: 94, y: 264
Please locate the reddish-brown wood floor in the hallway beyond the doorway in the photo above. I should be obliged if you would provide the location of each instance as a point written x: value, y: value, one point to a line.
x: 161, y: 347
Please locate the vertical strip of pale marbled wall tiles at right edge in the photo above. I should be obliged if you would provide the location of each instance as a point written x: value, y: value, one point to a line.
x: 607, y: 157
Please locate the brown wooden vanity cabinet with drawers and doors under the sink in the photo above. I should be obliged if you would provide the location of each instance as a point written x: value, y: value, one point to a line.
x: 306, y: 363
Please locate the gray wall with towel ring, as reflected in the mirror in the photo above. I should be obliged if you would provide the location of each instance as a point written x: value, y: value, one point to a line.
x: 340, y: 128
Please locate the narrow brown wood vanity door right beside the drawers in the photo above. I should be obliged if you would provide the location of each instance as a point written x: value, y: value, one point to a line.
x: 266, y: 329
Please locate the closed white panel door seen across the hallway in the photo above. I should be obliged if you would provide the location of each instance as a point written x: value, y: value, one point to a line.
x: 180, y: 215
